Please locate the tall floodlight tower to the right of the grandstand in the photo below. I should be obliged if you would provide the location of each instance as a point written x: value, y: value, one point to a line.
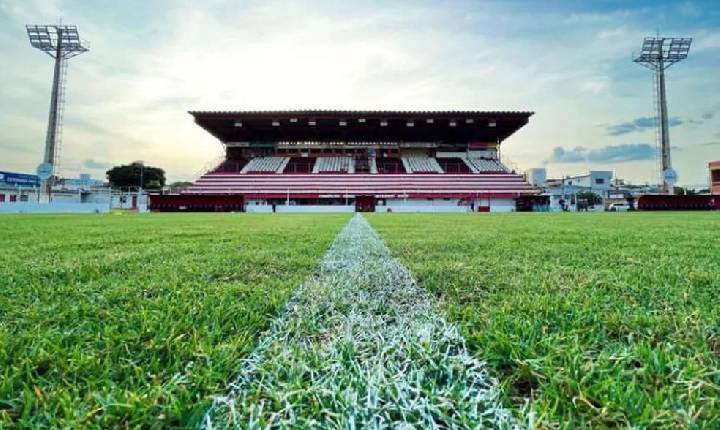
x: 657, y: 54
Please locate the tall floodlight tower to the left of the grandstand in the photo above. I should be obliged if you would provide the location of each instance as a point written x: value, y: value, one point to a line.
x: 61, y: 42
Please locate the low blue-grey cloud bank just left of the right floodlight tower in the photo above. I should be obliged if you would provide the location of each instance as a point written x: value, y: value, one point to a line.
x: 607, y: 154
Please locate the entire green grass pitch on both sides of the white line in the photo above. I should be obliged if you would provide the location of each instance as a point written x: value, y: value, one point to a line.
x: 600, y: 320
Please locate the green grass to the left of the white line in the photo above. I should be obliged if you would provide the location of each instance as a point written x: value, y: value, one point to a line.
x: 135, y: 321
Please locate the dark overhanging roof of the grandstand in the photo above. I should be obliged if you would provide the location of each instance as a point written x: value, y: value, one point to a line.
x: 361, y: 126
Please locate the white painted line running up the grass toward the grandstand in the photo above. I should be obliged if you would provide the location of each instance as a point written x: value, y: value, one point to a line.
x: 361, y: 345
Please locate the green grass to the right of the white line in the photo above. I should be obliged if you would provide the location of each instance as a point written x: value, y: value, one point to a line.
x: 601, y: 320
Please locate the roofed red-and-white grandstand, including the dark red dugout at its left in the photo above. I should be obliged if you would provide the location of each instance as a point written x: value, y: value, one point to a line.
x: 358, y: 160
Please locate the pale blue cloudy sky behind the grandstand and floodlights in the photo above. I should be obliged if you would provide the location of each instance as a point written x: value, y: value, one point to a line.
x: 570, y: 62
